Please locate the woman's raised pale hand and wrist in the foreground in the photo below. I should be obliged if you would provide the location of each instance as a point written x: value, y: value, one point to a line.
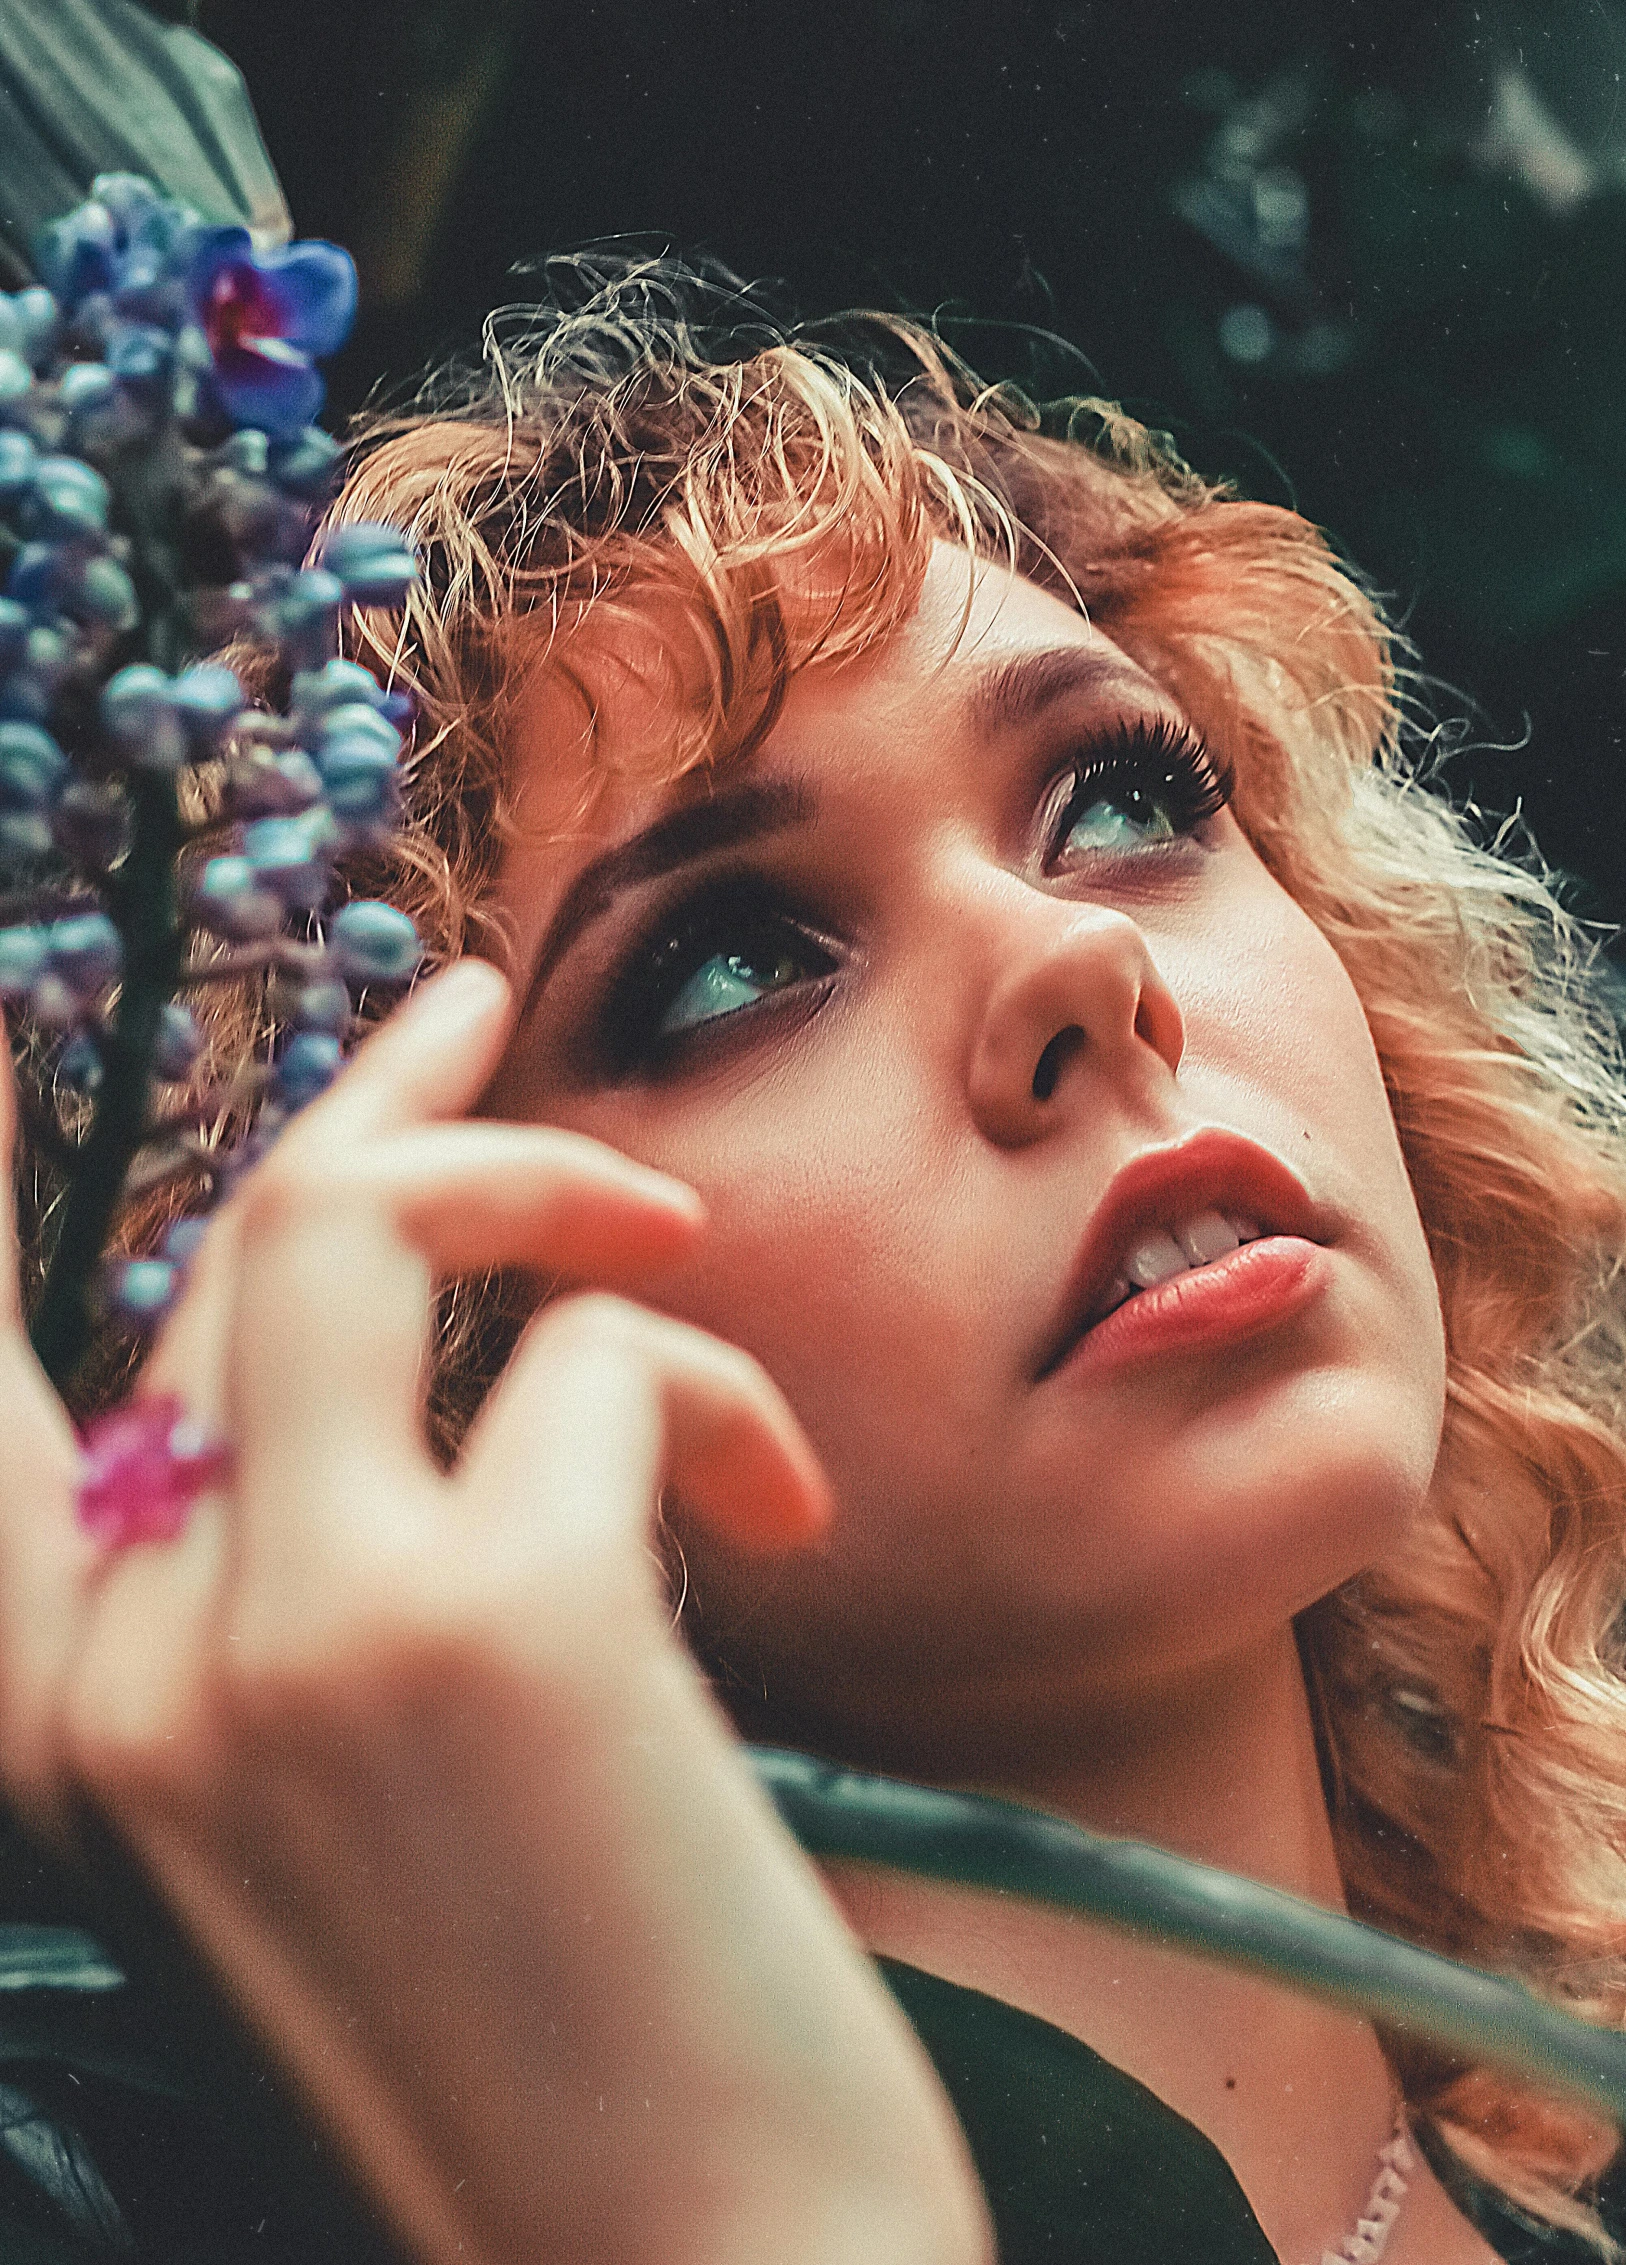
x: 420, y: 1763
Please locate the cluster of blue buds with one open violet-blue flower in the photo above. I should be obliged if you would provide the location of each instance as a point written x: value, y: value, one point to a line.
x: 157, y: 398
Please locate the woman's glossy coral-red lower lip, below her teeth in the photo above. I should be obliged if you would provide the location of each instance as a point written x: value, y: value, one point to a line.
x: 1238, y: 1297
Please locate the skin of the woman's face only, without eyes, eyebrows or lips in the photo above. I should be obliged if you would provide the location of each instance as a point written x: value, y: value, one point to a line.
x: 893, y: 1215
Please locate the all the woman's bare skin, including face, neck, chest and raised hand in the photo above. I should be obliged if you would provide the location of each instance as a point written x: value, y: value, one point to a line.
x: 900, y: 1539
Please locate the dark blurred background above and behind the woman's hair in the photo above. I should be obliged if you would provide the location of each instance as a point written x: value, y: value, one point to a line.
x: 1358, y: 255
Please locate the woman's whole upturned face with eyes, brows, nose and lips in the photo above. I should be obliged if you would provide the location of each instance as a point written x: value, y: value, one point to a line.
x: 957, y: 1002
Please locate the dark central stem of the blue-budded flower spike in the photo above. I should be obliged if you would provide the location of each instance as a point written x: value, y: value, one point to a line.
x: 146, y: 909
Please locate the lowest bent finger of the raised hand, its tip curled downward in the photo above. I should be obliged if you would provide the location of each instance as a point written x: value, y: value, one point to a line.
x: 604, y: 1405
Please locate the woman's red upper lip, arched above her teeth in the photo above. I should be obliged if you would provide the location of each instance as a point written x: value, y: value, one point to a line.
x: 1201, y: 1172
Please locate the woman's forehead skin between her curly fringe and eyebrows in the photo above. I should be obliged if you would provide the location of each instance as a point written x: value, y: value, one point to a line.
x: 909, y: 699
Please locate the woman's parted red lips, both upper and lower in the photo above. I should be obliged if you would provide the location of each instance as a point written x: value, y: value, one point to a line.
x: 1235, y: 1294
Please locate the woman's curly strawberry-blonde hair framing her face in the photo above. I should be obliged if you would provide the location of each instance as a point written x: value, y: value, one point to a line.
x: 780, y: 495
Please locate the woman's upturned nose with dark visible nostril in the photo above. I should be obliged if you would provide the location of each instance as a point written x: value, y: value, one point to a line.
x: 1079, y: 995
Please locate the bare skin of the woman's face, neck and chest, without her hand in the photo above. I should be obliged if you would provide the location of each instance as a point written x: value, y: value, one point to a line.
x: 1070, y: 1589
